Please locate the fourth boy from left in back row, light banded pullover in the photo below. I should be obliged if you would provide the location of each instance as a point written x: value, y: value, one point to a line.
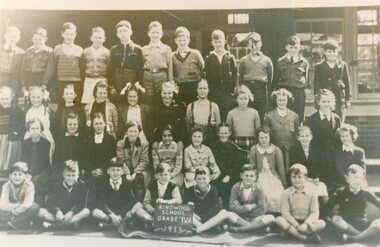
x: 96, y: 60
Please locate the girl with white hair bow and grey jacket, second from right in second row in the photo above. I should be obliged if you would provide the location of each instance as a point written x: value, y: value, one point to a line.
x: 283, y: 124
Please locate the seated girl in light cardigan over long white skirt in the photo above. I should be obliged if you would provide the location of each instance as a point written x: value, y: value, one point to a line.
x: 267, y: 159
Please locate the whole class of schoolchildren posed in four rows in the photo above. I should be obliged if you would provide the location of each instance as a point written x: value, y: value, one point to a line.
x: 137, y: 126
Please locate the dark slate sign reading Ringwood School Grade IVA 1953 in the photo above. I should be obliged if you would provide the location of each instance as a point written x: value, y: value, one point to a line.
x: 173, y: 219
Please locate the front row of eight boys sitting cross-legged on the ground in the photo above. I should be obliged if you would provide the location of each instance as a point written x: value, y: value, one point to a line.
x: 113, y: 202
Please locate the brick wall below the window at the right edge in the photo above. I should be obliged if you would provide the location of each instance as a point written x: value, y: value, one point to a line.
x: 369, y: 134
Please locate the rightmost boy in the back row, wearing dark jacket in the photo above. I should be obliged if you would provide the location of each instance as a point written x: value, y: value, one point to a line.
x: 332, y: 74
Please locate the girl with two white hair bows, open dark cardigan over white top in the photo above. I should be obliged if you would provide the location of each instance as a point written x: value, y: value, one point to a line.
x: 133, y: 110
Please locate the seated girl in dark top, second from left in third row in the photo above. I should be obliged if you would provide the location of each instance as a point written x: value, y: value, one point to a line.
x: 70, y: 145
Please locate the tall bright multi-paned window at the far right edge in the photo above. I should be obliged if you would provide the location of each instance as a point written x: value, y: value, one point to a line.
x: 368, y: 51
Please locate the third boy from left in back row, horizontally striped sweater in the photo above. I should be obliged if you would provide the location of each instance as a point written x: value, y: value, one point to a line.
x: 68, y: 61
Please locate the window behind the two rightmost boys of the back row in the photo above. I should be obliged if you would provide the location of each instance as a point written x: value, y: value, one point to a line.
x: 313, y: 33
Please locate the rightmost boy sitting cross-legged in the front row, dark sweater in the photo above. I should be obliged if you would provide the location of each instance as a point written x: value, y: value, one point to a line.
x: 352, y: 201
